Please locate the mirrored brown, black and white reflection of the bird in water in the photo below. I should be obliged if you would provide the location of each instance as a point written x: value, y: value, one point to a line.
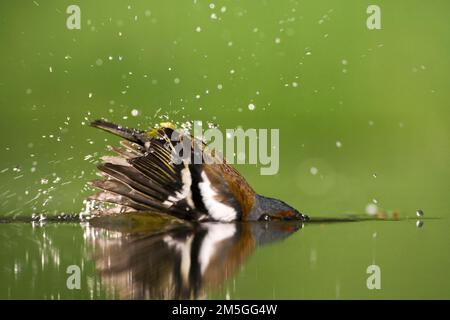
x: 182, y: 262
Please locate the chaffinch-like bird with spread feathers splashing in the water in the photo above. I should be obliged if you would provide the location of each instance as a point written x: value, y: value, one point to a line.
x: 149, y: 174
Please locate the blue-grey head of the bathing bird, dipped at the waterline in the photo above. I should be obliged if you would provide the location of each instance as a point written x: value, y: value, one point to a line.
x: 266, y: 209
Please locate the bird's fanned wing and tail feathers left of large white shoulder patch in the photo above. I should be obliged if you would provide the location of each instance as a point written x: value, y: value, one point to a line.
x: 143, y: 176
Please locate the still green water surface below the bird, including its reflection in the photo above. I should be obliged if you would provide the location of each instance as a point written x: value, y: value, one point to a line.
x: 226, y: 261
